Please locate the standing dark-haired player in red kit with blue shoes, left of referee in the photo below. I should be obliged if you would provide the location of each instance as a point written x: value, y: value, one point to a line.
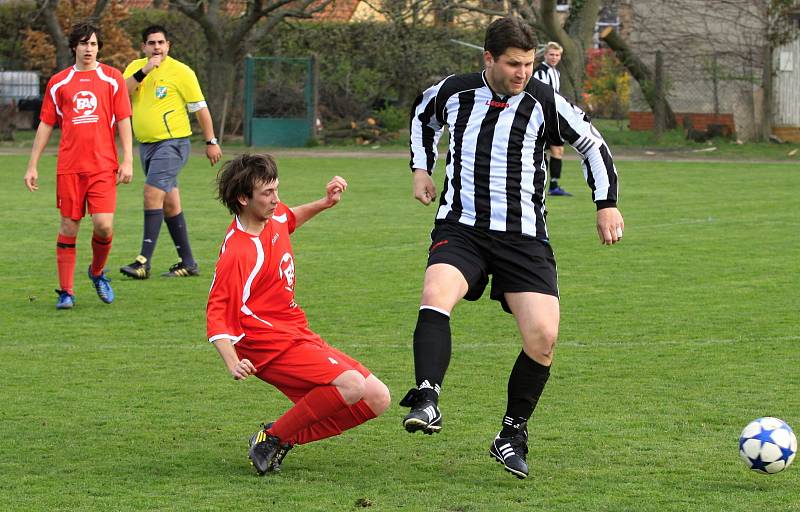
x: 87, y: 100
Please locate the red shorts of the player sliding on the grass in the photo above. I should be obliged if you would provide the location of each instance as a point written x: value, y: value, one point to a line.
x: 307, y: 363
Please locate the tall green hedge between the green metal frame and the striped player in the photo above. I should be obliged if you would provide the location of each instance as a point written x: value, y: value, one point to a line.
x: 365, y: 67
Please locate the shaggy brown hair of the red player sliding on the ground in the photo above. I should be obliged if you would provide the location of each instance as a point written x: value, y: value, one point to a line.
x: 238, y: 177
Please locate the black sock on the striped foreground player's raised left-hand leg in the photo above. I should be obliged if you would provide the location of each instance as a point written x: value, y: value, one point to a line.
x: 432, y: 346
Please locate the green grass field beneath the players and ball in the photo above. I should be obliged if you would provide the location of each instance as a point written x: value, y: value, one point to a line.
x: 671, y: 342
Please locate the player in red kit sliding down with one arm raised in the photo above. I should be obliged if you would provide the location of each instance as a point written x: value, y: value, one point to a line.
x: 258, y: 328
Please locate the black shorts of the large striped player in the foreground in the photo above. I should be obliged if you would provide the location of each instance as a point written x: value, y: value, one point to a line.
x: 516, y: 262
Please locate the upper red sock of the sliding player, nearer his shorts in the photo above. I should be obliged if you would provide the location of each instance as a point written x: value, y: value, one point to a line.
x: 319, y: 404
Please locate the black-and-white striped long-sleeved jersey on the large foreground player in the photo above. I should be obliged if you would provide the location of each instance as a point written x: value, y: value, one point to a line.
x: 495, y: 173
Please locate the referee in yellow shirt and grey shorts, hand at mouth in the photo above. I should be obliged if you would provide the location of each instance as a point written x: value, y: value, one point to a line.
x: 163, y: 91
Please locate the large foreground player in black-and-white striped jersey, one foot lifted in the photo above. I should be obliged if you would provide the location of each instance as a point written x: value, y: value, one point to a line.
x: 491, y: 220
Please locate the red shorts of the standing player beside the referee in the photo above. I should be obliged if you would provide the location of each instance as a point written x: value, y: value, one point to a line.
x: 75, y: 191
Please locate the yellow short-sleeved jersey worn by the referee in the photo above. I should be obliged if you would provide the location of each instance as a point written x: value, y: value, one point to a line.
x: 159, y: 104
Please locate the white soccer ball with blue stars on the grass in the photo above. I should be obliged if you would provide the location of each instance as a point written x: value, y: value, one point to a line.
x: 767, y: 445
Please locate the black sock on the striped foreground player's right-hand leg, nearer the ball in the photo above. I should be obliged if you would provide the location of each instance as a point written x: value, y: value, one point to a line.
x: 525, y: 386
